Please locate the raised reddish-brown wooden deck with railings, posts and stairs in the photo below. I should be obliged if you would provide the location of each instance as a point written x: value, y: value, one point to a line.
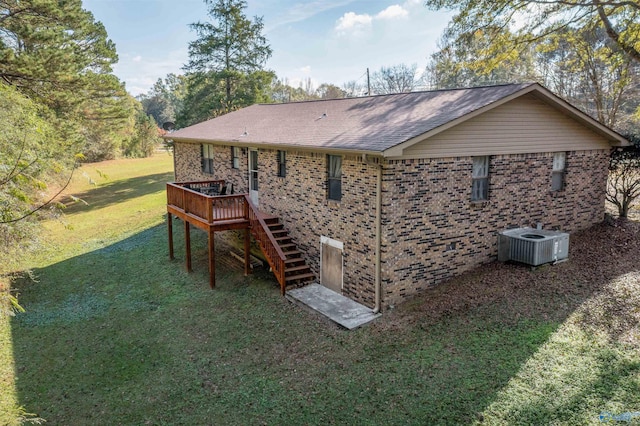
x: 201, y: 204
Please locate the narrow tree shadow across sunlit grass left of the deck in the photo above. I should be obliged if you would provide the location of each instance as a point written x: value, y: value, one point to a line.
x: 116, y: 192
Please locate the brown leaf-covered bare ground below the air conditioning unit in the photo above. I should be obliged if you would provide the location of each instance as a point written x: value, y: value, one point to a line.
x: 600, y: 281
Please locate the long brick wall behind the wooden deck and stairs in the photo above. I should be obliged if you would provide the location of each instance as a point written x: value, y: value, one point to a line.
x: 300, y: 200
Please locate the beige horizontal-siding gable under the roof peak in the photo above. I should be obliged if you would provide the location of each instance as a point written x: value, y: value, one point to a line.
x: 524, y: 125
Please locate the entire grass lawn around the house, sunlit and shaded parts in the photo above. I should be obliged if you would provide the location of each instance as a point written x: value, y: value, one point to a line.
x: 114, y: 333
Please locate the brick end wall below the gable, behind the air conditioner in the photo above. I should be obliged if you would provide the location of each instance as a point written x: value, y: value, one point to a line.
x: 432, y: 231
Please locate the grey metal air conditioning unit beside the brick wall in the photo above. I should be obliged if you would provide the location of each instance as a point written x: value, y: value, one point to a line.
x: 533, y: 246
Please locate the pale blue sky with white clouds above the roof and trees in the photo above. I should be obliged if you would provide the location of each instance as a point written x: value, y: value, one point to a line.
x: 329, y: 41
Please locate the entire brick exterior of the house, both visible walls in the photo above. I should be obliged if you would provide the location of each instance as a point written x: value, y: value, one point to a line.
x: 430, y: 229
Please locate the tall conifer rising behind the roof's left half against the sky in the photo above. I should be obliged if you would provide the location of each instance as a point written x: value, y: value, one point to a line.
x: 228, y: 49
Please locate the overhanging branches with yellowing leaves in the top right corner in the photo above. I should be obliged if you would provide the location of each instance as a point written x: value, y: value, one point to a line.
x: 532, y: 20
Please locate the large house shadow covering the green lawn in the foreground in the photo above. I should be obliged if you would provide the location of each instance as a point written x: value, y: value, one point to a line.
x: 123, y: 336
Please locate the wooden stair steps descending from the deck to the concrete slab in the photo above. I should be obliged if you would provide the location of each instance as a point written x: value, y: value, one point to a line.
x: 296, y: 270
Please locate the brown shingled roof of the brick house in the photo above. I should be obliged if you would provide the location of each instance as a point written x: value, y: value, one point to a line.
x: 367, y: 124
